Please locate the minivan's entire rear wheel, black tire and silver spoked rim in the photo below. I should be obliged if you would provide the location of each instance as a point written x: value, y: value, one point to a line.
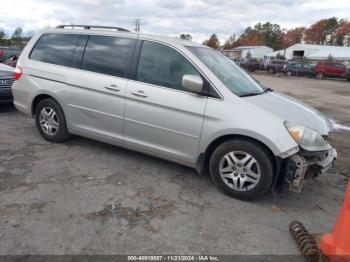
x: 50, y: 121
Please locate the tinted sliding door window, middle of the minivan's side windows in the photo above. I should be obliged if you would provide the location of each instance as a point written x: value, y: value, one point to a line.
x: 107, y: 55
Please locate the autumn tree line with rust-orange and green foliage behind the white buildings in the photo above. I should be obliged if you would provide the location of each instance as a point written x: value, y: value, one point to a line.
x: 331, y: 31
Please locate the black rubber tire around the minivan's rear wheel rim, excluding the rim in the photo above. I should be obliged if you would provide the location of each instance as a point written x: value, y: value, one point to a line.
x: 61, y: 133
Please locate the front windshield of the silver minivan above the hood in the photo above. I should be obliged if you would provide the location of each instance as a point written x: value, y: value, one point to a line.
x: 235, y: 78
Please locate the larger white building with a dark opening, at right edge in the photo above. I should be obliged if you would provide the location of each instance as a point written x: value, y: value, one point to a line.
x: 313, y: 52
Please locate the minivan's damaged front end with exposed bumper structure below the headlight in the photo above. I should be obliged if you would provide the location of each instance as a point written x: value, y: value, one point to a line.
x: 307, y: 165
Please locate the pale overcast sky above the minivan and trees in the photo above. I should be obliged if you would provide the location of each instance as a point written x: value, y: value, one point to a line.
x: 200, y: 18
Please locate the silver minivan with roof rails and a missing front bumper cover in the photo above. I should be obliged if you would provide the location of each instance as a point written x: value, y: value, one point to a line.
x: 173, y: 99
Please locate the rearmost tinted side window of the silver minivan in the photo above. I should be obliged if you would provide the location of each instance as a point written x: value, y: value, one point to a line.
x: 55, y: 49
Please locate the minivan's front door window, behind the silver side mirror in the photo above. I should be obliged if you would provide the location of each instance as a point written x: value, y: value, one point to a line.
x: 163, y: 66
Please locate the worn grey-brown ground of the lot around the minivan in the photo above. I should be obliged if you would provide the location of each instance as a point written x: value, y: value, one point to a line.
x: 86, y: 197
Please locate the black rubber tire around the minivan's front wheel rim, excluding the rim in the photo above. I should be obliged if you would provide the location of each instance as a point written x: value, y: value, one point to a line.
x: 261, y: 155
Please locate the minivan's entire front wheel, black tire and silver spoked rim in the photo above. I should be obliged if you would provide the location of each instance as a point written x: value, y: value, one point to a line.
x: 241, y: 168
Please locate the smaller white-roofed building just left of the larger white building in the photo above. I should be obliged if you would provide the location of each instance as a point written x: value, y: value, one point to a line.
x: 244, y: 51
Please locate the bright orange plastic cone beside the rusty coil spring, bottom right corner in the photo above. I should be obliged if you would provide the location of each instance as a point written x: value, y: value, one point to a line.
x: 336, y: 246
